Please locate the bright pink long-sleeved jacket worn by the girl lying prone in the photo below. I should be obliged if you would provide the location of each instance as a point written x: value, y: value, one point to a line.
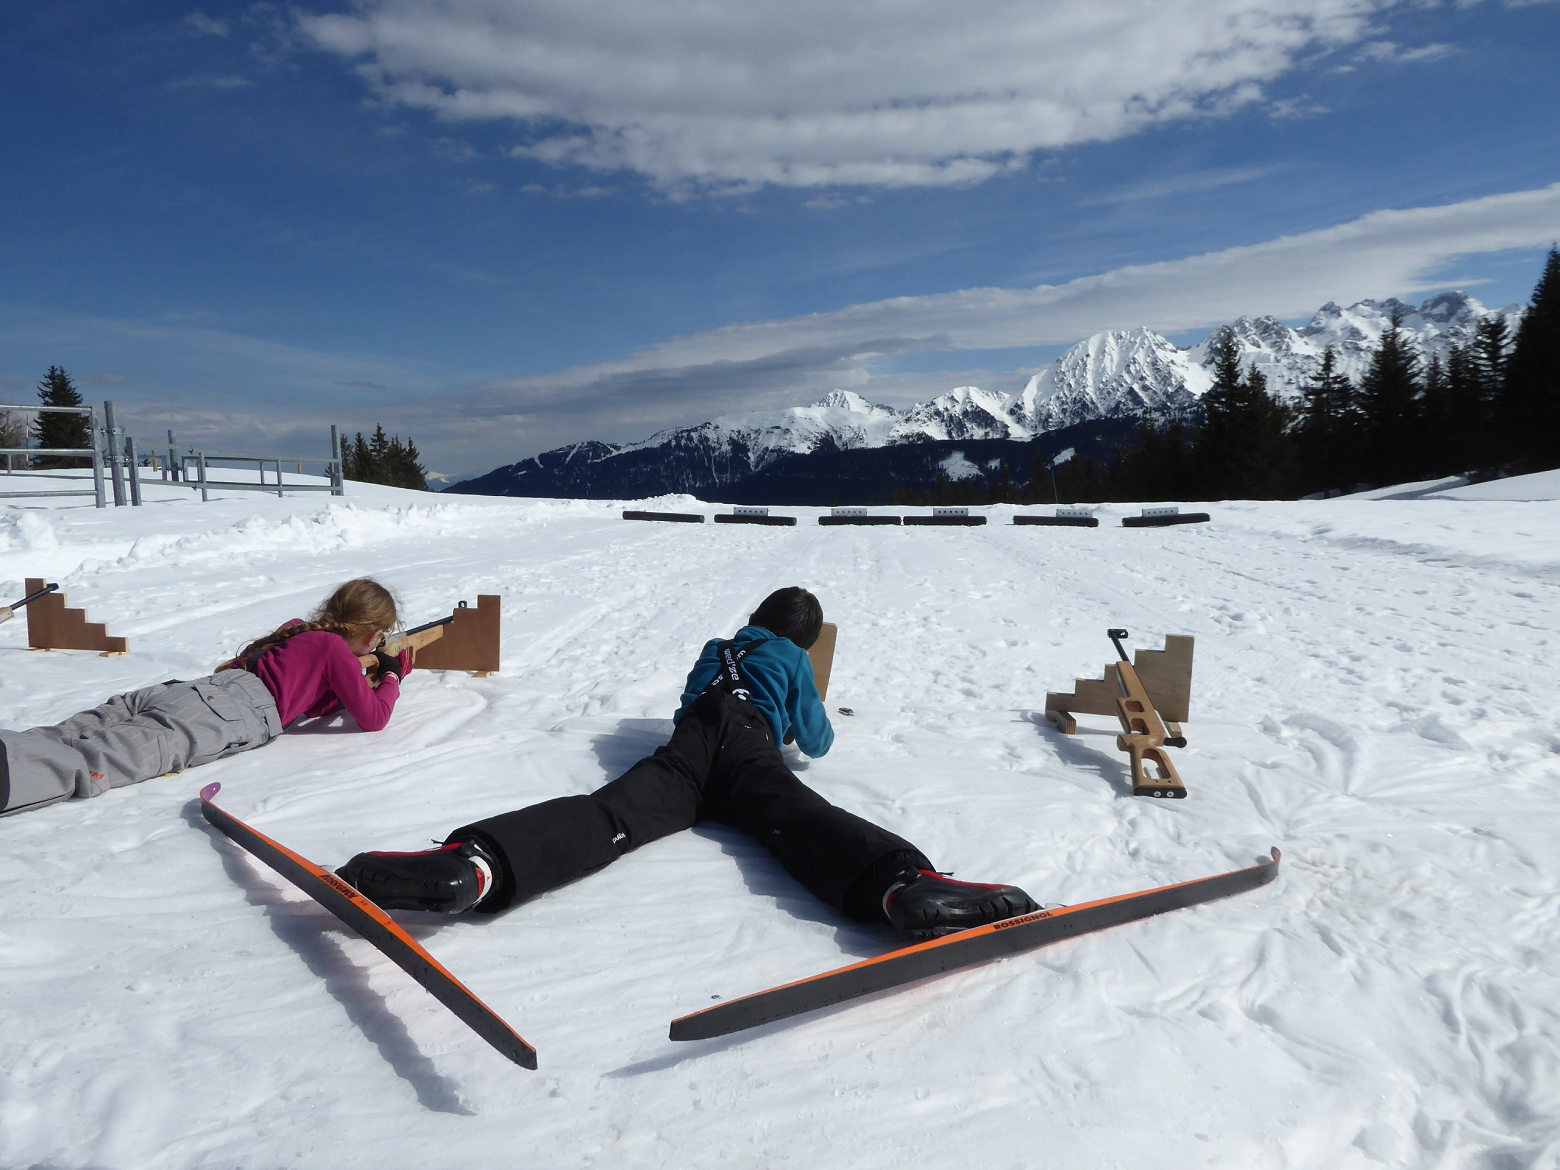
x: 314, y: 675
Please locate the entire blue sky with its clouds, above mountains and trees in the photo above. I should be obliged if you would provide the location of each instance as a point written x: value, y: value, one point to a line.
x: 506, y: 225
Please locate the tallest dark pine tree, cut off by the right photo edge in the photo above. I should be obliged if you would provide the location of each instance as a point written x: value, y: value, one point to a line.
x: 1531, y: 394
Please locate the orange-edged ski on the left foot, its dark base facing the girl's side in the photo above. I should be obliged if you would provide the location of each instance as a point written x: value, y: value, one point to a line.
x: 375, y: 926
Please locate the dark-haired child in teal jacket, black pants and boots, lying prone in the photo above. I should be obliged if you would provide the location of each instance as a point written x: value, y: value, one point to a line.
x: 743, y: 700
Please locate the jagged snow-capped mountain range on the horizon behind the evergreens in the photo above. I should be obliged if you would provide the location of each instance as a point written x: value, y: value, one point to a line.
x: 1121, y: 374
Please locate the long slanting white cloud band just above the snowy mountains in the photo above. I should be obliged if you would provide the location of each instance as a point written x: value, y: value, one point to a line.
x: 781, y: 363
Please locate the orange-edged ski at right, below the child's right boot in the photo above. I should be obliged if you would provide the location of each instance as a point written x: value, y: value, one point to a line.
x: 965, y: 949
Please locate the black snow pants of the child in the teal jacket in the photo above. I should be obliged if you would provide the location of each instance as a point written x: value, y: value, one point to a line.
x: 720, y: 765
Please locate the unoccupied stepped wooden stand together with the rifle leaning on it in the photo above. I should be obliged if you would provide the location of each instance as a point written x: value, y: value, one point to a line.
x: 1150, y: 697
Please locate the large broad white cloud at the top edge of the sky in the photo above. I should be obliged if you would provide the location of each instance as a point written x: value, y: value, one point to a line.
x: 814, y: 93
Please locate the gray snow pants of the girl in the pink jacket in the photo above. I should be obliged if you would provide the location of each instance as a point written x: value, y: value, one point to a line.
x: 135, y: 737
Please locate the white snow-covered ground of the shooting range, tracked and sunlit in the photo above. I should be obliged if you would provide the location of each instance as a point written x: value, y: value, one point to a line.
x: 1375, y: 693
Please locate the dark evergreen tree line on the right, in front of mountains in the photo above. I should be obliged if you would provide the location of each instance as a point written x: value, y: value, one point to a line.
x: 1491, y: 408
